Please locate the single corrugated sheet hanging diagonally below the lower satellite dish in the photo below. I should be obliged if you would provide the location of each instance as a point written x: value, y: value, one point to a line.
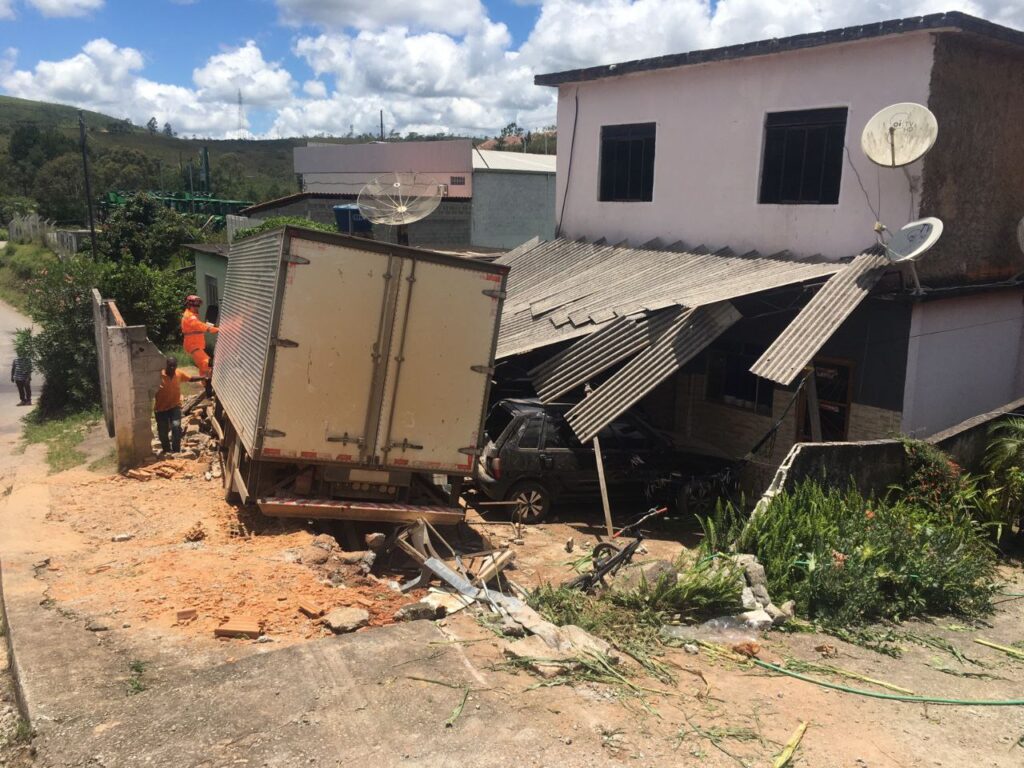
x: 814, y: 326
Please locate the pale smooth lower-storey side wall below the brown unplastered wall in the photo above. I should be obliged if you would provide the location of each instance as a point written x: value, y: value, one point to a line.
x: 964, y: 359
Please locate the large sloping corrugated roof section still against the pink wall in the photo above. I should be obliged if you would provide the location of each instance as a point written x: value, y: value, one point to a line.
x: 565, y: 289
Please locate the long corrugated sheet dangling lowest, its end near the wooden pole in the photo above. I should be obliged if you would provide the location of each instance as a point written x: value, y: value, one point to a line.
x: 692, y: 331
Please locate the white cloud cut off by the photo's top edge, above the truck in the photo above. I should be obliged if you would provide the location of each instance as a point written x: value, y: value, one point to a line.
x: 447, y: 16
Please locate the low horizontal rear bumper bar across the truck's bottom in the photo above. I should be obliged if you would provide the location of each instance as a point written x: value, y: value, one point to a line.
x: 335, y: 509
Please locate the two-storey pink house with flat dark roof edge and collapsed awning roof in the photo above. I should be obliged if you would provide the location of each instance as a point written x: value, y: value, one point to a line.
x: 708, y: 207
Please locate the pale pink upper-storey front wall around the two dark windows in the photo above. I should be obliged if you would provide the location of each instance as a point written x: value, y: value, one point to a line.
x: 709, y: 144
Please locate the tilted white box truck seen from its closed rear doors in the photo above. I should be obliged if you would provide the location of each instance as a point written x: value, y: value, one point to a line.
x: 353, y: 376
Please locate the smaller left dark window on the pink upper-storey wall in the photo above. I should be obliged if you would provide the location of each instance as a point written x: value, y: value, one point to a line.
x: 627, y: 163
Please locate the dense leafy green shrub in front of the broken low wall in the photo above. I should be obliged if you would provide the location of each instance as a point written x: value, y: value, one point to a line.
x: 848, y: 561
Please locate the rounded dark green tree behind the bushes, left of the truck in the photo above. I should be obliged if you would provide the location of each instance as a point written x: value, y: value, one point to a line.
x: 144, y: 232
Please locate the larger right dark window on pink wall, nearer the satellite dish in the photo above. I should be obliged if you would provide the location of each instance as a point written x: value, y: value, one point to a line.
x: 803, y: 157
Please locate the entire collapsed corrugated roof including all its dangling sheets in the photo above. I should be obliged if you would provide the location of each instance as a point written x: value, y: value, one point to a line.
x: 658, y: 309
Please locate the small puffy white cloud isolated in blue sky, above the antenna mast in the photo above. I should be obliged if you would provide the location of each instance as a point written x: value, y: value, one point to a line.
x: 244, y: 69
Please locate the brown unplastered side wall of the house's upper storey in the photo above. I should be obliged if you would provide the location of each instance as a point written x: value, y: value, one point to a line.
x: 973, y: 179
